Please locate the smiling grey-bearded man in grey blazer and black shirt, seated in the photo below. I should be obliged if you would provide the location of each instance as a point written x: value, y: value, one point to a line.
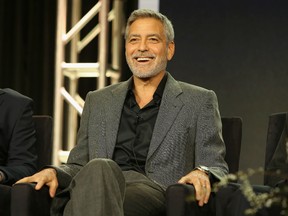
x: 139, y: 136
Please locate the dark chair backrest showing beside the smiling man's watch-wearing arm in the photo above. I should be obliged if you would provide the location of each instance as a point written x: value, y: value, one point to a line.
x: 232, y: 135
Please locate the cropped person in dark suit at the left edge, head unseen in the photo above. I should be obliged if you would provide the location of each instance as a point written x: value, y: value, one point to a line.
x: 18, y: 156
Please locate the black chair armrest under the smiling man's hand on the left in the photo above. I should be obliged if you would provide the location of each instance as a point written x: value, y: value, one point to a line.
x: 26, y: 201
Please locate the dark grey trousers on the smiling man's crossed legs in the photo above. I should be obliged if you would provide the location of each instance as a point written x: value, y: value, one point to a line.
x: 101, y: 188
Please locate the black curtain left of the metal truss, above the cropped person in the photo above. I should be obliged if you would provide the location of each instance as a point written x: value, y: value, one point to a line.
x: 27, y: 45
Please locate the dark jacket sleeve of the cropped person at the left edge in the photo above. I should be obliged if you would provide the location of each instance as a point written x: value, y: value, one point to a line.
x: 22, y: 157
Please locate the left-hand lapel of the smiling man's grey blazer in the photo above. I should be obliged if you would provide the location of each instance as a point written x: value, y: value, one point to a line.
x: 113, y: 117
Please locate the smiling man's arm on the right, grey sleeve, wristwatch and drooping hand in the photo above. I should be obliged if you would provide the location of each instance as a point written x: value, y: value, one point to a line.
x: 209, y: 150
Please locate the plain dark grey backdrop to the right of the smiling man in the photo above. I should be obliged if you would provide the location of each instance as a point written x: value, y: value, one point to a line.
x: 239, y: 49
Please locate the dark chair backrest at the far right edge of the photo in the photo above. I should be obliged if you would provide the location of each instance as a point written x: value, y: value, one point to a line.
x: 274, y: 141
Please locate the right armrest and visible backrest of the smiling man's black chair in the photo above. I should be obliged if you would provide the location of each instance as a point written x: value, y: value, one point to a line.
x: 178, y: 202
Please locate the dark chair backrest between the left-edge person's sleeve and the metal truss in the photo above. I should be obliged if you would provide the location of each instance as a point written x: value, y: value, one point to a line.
x: 43, y: 127
